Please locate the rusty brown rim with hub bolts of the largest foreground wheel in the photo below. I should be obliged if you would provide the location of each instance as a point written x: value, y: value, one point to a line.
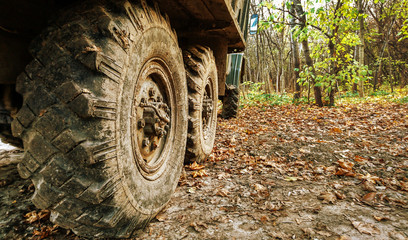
x: 152, y: 117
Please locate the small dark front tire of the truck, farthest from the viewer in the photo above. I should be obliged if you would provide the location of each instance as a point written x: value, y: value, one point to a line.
x: 230, y: 102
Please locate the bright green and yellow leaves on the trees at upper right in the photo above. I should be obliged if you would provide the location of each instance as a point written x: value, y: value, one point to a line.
x: 331, y: 30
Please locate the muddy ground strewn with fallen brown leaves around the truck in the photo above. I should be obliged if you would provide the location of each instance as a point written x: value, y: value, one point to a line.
x: 283, y: 172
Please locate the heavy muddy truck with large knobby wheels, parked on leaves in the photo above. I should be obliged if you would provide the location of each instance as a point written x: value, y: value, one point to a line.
x: 109, y: 98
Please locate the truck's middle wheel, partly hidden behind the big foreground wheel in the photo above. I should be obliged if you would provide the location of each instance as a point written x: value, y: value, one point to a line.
x: 202, y: 84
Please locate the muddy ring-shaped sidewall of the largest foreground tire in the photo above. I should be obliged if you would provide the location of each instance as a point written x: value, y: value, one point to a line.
x: 149, y: 196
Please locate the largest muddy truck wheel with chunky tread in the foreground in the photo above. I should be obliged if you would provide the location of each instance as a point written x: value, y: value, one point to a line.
x: 104, y: 117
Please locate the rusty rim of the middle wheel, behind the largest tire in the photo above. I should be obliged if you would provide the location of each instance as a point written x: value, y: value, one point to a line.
x: 207, y: 110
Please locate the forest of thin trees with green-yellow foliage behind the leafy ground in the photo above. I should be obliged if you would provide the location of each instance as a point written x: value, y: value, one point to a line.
x: 320, y: 50
